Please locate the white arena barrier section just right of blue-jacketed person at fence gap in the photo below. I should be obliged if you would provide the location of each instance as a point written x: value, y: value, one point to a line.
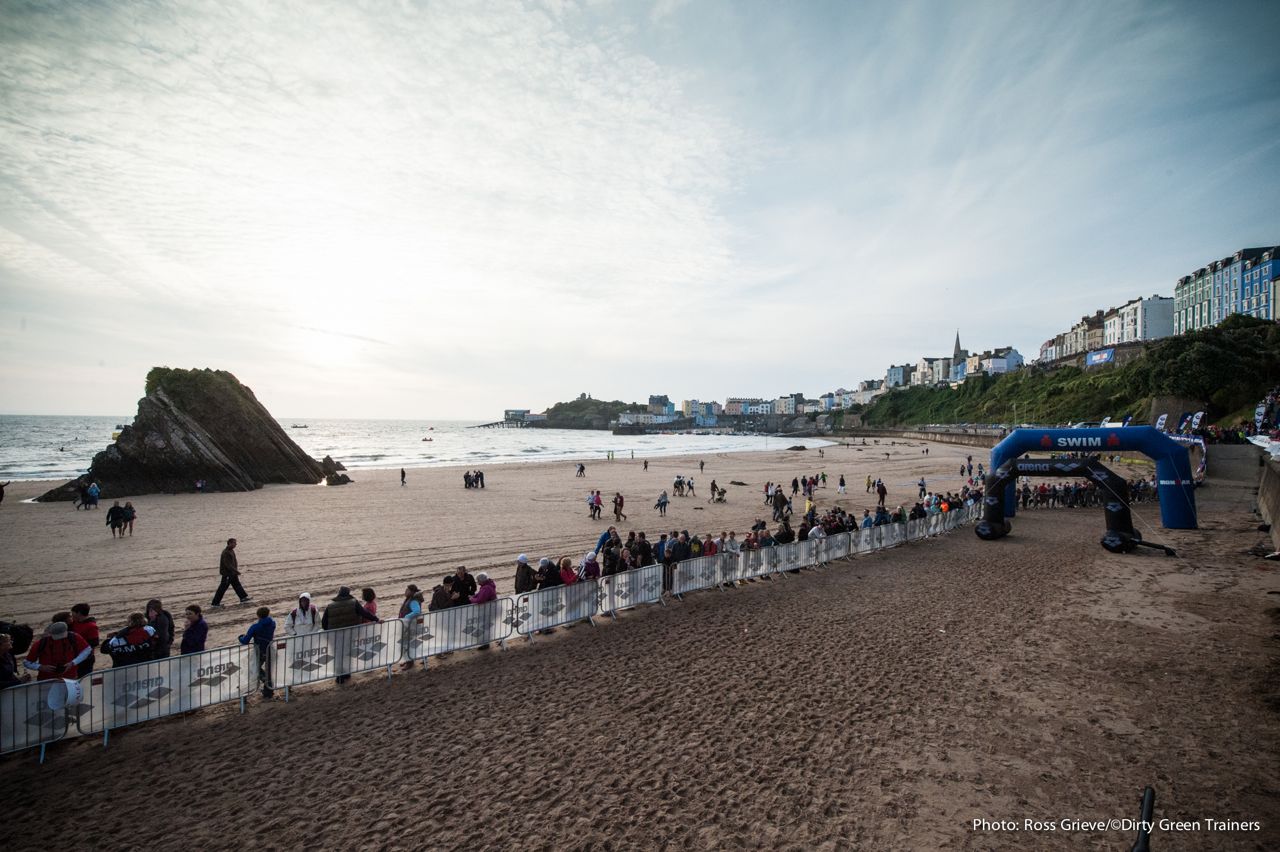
x: 331, y: 654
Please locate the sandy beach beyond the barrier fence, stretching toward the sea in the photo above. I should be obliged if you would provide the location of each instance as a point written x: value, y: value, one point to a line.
x: 374, y: 533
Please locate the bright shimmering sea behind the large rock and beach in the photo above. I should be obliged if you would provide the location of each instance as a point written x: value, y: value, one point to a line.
x: 61, y: 448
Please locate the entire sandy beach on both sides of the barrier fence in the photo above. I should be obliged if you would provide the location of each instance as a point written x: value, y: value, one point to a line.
x: 884, y: 703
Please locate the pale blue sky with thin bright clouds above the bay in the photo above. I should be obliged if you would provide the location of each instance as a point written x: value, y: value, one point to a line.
x: 429, y: 210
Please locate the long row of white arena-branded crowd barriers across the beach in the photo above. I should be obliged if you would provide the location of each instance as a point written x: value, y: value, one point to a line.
x: 117, y: 698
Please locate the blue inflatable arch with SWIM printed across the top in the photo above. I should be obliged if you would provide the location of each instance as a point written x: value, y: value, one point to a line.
x: 1173, y: 462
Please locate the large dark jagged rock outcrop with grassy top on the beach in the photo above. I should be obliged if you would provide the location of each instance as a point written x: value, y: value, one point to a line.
x: 198, y: 425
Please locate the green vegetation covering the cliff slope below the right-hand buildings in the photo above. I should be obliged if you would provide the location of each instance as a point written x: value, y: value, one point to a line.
x: 1228, y: 368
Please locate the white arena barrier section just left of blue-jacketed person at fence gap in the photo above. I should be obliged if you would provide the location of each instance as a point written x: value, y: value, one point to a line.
x: 125, y: 697
